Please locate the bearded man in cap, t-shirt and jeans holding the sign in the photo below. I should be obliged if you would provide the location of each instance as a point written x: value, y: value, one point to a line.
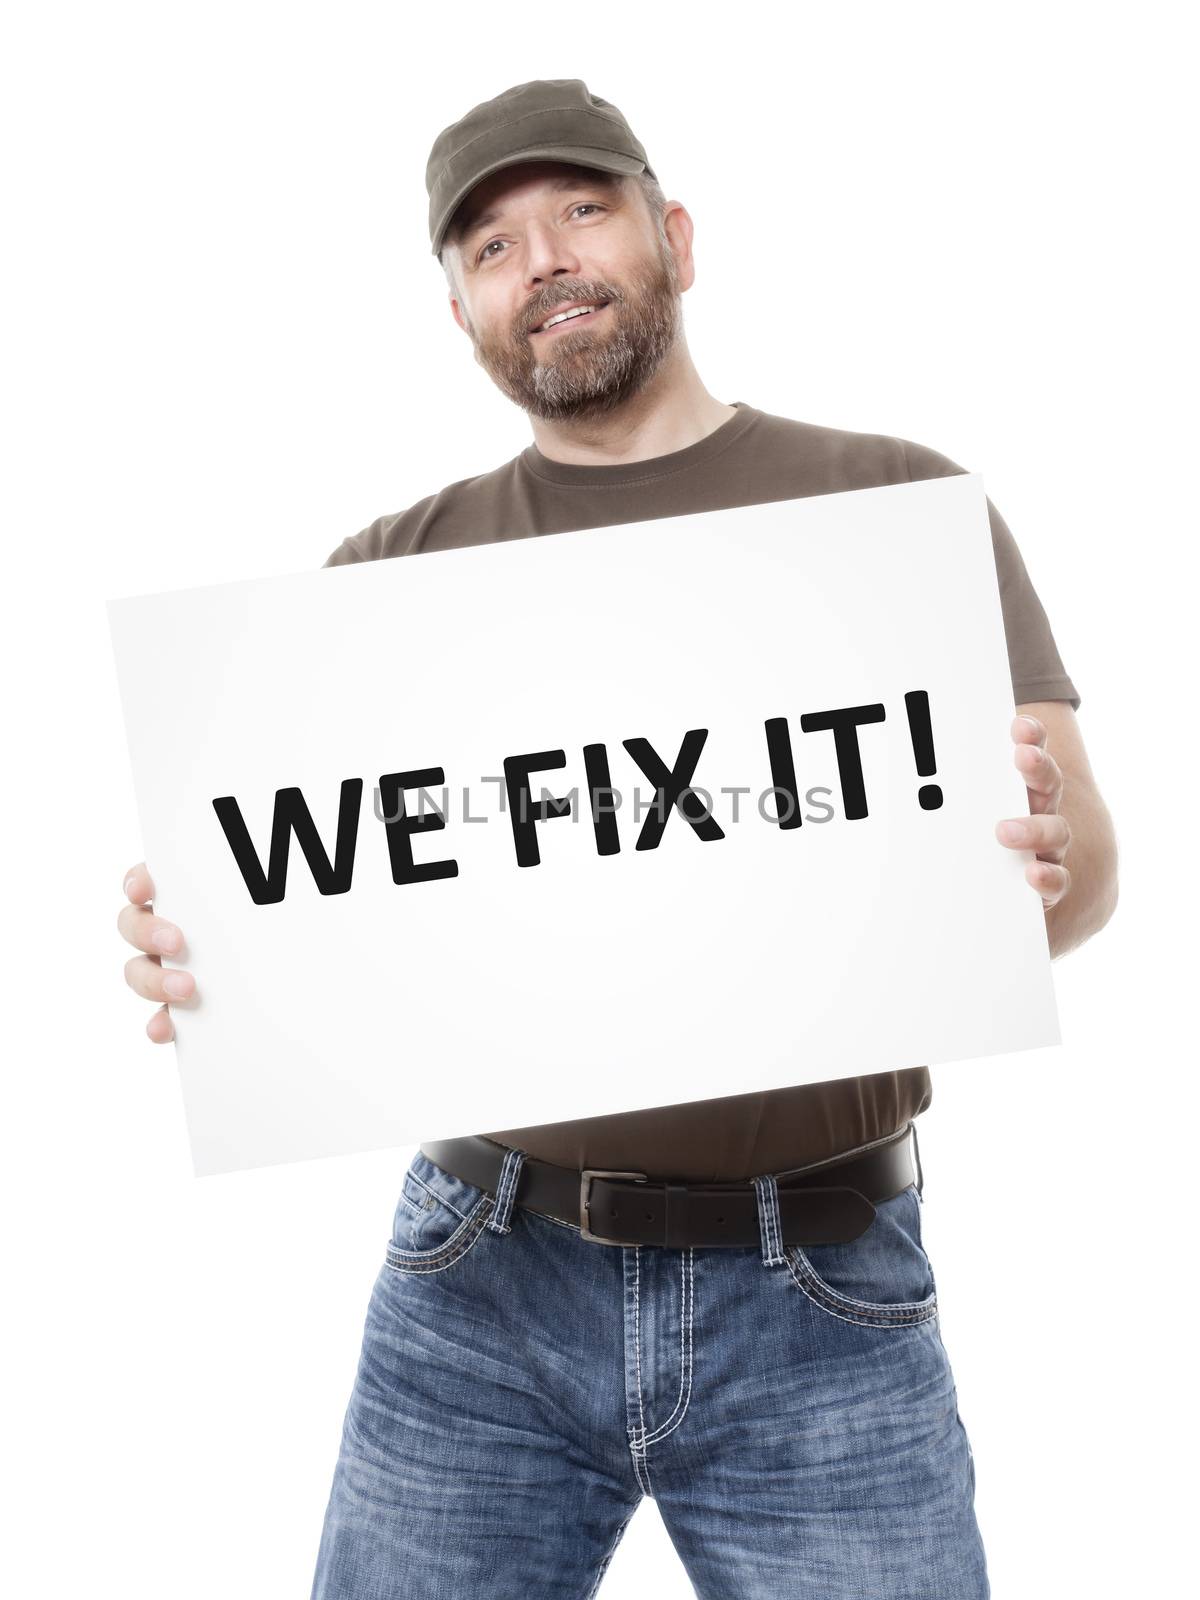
x: 575, y: 1316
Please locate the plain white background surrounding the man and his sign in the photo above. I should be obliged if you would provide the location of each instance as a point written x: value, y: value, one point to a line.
x: 228, y: 346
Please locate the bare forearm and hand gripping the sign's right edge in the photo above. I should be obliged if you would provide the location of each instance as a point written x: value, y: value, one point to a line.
x: 1070, y: 826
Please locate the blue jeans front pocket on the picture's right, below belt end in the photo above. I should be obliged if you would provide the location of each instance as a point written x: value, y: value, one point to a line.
x: 882, y: 1279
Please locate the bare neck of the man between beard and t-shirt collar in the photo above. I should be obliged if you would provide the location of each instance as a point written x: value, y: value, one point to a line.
x: 673, y: 412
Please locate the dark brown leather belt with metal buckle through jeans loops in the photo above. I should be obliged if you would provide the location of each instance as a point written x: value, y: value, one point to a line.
x: 825, y: 1204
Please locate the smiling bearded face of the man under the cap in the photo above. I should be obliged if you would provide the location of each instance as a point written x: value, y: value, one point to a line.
x: 540, y: 238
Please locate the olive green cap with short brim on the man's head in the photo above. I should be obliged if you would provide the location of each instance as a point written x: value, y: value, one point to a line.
x: 545, y: 121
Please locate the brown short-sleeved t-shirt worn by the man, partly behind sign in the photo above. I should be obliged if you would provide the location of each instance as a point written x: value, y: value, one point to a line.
x: 751, y: 458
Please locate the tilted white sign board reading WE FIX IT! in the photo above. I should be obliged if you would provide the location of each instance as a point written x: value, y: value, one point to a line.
x: 380, y: 974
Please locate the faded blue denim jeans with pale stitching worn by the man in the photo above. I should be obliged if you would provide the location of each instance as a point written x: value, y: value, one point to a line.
x: 522, y: 1390
